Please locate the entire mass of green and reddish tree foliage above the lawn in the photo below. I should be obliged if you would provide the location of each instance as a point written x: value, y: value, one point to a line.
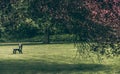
x: 88, y: 20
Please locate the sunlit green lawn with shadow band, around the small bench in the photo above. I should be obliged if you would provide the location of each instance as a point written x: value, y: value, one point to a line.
x: 52, y: 59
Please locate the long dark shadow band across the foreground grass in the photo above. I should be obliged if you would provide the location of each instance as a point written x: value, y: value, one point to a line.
x: 28, y: 67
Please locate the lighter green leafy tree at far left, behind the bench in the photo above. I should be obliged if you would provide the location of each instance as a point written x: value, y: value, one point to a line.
x: 14, y: 19
